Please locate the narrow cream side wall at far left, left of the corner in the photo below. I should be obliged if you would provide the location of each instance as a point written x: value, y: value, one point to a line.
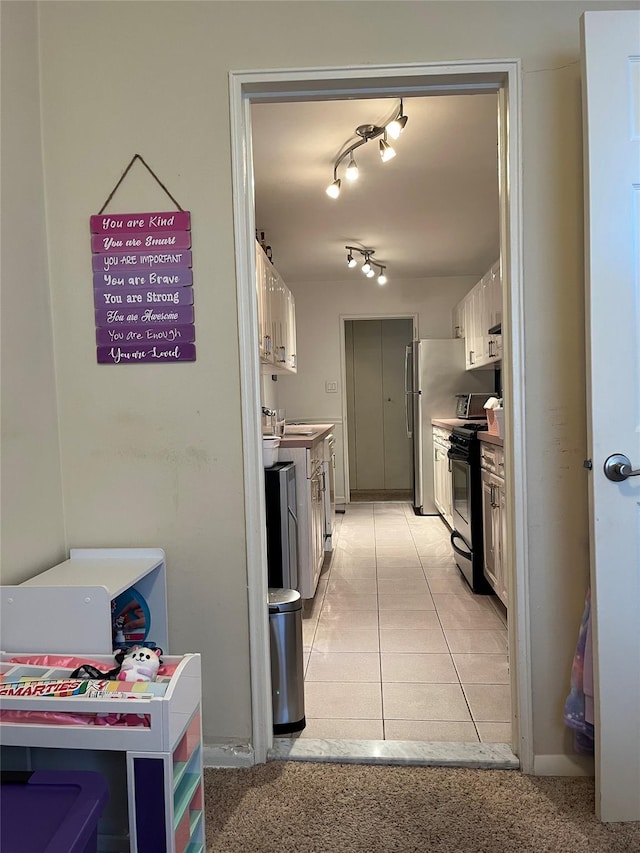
x: 32, y: 530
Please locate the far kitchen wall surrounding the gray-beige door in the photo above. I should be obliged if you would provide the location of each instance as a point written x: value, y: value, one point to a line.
x: 320, y: 310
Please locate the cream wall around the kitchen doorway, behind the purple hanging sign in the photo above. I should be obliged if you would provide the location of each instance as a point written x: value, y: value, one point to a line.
x: 151, y: 455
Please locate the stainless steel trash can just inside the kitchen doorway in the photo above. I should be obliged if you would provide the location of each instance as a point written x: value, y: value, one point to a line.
x: 287, y: 679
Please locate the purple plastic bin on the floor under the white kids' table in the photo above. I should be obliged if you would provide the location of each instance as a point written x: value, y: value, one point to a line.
x: 51, y: 811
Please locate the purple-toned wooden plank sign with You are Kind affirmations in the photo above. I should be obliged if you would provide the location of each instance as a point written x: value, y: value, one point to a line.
x: 143, y: 287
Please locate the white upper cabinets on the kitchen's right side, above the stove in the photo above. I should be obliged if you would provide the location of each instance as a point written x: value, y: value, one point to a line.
x: 478, y: 312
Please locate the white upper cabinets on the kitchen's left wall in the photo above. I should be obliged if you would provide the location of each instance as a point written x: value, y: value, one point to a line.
x: 276, y: 318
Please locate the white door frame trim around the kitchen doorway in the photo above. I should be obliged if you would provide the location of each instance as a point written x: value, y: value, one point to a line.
x: 459, y: 77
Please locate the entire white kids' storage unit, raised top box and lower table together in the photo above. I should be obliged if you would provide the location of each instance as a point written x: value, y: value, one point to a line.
x: 66, y: 610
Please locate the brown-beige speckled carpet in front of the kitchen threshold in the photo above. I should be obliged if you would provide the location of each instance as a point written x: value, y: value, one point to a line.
x: 282, y: 807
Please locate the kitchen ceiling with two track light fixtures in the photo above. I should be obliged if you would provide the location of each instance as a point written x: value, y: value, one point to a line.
x: 431, y: 211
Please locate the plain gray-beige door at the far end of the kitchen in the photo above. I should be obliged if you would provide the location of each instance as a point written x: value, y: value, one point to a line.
x: 379, y: 450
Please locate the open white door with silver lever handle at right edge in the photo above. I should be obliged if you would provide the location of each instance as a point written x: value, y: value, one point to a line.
x: 611, y: 86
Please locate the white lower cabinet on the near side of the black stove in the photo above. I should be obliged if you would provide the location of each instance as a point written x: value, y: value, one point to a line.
x: 496, y: 567
